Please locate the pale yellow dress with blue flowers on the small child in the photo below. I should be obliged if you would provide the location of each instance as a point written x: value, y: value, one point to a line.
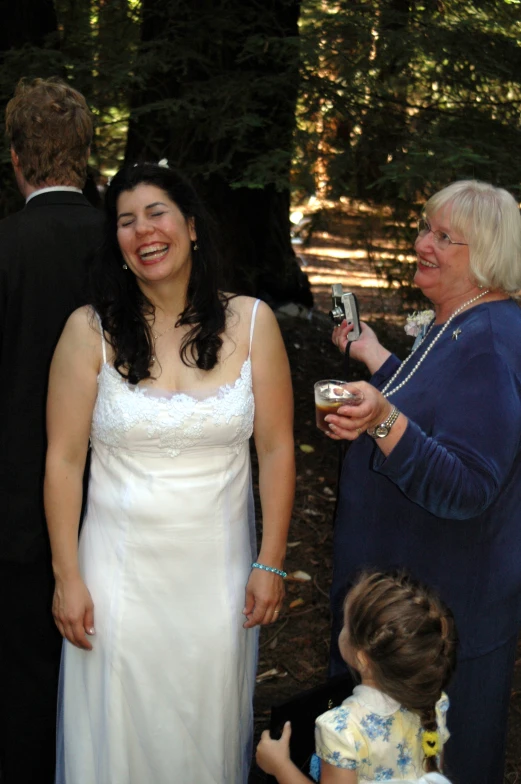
x: 374, y: 735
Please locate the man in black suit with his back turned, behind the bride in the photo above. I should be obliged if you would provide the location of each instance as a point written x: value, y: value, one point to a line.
x: 44, y: 253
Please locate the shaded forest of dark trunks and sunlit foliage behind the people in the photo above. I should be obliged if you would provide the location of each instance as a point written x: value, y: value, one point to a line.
x: 321, y: 104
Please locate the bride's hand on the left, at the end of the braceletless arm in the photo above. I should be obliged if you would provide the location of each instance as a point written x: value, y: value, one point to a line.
x: 73, y: 611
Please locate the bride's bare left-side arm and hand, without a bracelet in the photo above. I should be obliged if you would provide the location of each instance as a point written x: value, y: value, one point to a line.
x: 70, y: 402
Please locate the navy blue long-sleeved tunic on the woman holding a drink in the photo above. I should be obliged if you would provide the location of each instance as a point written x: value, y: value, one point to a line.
x: 446, y: 503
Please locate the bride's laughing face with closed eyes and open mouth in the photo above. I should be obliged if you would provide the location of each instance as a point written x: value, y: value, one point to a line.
x: 154, y: 237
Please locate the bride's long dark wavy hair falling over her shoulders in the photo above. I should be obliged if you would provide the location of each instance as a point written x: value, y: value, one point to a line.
x: 122, y: 306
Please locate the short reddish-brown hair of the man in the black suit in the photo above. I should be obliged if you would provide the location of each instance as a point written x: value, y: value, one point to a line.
x: 49, y: 126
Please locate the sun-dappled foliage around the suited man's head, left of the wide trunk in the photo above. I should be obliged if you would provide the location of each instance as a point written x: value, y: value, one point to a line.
x: 93, y: 46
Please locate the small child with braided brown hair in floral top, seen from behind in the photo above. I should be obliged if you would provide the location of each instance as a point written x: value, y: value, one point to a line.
x: 401, y: 639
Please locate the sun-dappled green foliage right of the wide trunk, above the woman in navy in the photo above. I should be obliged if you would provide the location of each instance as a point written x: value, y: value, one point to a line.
x: 399, y: 98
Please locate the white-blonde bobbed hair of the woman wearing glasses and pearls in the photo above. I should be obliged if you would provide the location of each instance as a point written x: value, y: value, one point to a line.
x: 488, y: 219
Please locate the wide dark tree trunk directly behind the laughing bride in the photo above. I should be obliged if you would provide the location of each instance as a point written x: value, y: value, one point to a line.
x: 215, y: 90
